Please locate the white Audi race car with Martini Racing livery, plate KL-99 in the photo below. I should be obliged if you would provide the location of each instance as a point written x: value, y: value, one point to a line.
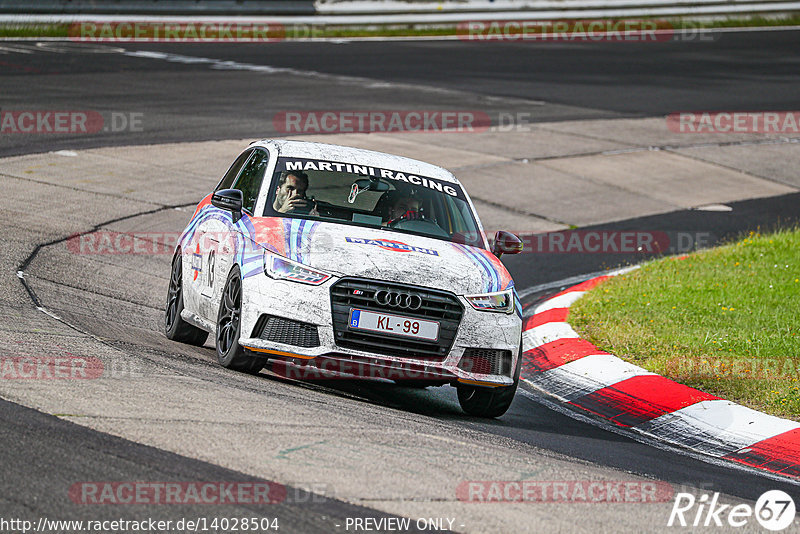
x: 351, y: 263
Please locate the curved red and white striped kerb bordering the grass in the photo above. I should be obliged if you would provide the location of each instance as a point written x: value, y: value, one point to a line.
x: 591, y: 382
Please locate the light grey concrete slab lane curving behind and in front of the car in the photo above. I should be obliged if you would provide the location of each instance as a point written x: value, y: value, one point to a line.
x: 175, y: 398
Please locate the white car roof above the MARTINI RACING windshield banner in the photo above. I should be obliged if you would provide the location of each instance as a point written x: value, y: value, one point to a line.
x: 360, y: 156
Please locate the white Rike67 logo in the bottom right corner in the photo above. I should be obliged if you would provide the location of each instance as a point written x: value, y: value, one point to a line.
x: 774, y: 510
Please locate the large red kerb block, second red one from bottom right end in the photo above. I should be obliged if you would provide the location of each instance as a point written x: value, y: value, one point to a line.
x: 640, y: 399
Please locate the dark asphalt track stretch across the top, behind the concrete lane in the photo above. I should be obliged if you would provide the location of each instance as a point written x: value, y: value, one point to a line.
x: 183, y: 99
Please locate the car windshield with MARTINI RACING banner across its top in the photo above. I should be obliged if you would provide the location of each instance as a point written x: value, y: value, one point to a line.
x: 362, y: 195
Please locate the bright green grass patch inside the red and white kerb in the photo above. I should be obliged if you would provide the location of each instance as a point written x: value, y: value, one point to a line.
x: 724, y: 320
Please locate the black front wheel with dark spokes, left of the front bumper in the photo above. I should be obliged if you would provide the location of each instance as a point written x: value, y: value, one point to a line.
x: 229, y: 353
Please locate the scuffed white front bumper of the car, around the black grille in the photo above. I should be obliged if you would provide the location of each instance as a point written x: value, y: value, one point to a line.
x: 476, y: 335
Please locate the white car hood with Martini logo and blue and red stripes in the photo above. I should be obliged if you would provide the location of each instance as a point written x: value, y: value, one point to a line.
x: 346, y: 250
